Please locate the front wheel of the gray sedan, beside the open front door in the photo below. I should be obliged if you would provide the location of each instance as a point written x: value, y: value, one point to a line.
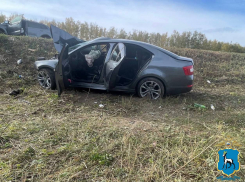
x: 46, y: 78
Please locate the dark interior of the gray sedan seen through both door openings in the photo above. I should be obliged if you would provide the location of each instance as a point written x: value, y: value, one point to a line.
x: 86, y: 64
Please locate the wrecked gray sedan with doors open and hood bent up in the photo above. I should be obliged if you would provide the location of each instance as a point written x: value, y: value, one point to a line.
x: 114, y: 65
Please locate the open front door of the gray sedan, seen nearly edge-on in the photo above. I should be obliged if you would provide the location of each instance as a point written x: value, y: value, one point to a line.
x: 59, y: 77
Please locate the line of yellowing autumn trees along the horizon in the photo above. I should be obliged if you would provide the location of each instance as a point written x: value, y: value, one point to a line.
x: 187, y: 39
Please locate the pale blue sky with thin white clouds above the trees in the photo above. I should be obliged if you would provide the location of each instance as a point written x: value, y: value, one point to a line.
x: 223, y: 20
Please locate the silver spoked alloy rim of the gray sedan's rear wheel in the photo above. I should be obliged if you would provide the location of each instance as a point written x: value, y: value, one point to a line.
x: 150, y: 88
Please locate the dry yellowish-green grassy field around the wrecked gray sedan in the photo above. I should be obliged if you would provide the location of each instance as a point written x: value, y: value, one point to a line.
x: 71, y: 138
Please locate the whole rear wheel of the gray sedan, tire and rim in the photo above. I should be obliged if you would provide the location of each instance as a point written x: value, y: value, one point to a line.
x: 151, y: 87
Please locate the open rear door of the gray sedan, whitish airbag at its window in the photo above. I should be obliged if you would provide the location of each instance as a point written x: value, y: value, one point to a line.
x: 113, y: 65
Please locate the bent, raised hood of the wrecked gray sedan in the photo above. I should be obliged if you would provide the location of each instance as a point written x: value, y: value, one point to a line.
x: 61, y: 37
